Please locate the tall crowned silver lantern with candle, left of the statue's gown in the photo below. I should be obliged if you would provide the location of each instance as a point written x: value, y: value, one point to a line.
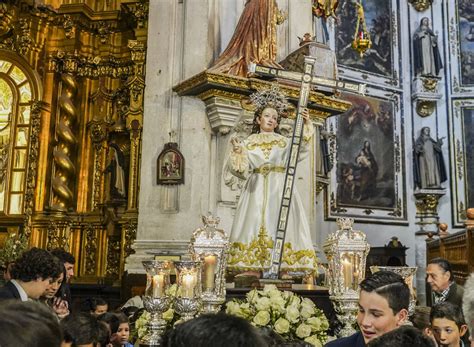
x: 210, y: 246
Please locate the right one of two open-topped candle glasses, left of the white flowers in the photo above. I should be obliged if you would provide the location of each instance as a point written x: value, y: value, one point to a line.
x: 188, y: 295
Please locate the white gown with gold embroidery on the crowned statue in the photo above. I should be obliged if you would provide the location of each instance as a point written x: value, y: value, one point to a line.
x: 262, y: 161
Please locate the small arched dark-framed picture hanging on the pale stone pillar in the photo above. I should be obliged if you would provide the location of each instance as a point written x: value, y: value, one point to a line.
x: 170, y: 165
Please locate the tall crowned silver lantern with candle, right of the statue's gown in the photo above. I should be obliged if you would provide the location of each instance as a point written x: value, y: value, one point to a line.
x: 346, y: 251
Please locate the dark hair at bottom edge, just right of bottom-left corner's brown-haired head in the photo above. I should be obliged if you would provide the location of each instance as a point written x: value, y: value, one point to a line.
x: 80, y: 329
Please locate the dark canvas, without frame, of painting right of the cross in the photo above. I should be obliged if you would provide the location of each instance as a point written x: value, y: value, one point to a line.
x: 365, y: 151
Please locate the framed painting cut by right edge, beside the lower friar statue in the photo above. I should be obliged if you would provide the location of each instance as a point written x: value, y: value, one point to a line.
x: 462, y: 159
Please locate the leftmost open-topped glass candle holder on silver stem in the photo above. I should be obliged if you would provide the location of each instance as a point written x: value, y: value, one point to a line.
x: 156, y: 299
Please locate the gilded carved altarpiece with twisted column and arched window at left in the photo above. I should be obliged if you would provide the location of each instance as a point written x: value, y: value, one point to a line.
x: 71, y: 110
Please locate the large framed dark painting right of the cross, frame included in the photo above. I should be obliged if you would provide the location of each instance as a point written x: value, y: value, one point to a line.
x: 367, y: 180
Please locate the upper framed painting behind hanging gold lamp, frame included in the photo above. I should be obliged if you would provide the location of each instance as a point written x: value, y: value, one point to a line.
x: 380, y: 63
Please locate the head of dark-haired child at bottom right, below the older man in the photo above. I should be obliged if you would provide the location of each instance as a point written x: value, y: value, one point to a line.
x: 447, y: 324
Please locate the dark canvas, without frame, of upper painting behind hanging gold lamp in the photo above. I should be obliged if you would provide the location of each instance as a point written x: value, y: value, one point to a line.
x: 379, y: 58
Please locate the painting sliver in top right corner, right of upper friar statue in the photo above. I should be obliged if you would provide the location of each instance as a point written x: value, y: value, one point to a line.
x: 466, y: 40
